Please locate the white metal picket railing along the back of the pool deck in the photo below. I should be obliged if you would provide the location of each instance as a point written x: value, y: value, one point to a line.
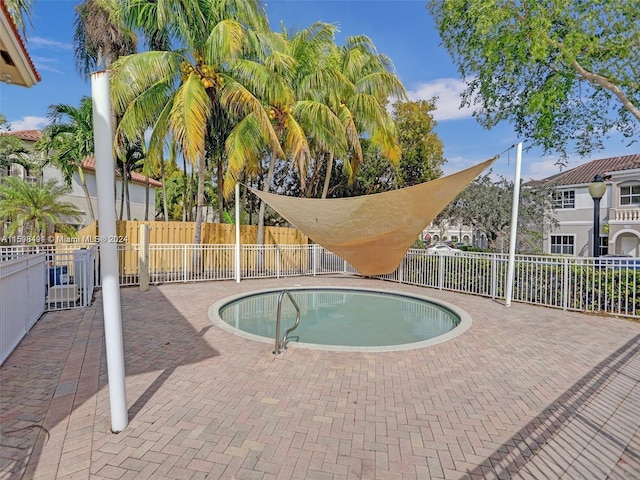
x: 601, y: 285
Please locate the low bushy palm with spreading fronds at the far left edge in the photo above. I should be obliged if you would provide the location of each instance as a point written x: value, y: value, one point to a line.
x: 35, y: 210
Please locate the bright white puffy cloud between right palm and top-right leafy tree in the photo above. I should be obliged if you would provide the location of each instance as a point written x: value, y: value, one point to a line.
x: 448, y: 91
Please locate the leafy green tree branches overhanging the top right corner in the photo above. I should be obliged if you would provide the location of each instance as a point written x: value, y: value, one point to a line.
x: 564, y: 72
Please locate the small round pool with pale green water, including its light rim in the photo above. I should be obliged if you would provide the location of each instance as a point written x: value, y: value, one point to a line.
x: 347, y: 319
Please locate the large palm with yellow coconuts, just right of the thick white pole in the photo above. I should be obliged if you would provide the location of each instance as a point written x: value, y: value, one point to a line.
x: 196, y: 93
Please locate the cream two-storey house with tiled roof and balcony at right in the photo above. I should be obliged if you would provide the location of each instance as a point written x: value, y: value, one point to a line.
x: 619, y: 225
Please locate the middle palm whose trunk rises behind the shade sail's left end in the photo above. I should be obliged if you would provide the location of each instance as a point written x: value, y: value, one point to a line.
x: 297, y: 117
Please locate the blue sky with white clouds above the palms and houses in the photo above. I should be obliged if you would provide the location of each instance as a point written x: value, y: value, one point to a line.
x: 402, y: 29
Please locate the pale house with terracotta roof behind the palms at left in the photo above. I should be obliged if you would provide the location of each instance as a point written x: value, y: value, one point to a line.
x: 139, y: 194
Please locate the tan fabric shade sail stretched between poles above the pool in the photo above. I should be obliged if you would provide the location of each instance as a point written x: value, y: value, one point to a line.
x: 372, y: 232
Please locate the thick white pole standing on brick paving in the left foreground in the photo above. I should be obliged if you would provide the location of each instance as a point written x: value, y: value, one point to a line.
x: 105, y: 179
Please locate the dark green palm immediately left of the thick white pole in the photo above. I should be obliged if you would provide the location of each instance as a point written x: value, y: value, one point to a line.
x: 71, y: 141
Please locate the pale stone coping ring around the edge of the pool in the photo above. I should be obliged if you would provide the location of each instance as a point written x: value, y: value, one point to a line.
x: 463, y: 326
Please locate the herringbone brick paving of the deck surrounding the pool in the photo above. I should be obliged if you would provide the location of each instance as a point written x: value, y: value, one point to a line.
x: 525, y: 393
